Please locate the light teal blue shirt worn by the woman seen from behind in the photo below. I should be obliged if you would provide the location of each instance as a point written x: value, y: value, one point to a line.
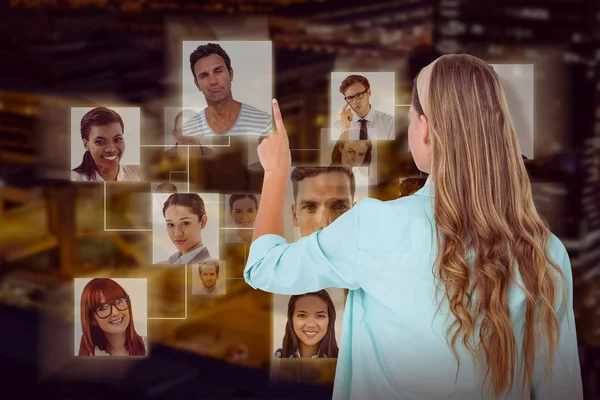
x: 393, y: 345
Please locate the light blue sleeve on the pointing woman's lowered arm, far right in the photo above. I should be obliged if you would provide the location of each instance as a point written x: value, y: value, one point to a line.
x: 564, y: 381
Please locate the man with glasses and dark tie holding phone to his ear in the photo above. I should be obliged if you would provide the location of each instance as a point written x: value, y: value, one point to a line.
x: 358, y: 119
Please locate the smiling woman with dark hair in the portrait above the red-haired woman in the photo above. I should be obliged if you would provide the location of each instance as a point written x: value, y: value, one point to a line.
x: 102, y: 132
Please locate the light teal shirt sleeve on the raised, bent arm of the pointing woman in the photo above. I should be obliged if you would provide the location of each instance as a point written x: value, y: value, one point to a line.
x: 325, y: 259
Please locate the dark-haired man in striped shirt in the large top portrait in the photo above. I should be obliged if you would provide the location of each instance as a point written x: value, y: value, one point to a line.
x: 211, y: 67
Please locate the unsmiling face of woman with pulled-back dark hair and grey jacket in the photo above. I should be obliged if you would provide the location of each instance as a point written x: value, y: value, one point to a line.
x: 183, y: 227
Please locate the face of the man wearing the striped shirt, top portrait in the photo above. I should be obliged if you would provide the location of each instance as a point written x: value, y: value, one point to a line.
x: 212, y: 78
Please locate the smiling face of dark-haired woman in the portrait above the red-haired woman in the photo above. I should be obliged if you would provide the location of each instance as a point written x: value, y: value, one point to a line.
x: 106, y: 145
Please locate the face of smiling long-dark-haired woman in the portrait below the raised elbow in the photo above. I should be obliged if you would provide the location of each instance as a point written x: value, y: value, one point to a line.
x: 310, y: 320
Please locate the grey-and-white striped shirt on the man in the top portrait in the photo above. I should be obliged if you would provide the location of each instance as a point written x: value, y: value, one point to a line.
x: 250, y: 122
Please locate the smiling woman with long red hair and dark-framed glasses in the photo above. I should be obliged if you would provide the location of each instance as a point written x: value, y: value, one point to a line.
x: 107, y: 321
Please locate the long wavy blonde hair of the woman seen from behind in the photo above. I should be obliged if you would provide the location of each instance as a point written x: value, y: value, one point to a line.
x: 484, y: 207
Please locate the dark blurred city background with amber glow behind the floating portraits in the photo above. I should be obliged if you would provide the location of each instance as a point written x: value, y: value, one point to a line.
x: 58, y: 54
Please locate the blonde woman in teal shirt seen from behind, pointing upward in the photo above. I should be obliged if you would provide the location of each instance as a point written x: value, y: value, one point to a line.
x: 458, y: 291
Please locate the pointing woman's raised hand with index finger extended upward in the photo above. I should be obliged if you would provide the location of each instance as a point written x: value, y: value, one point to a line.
x: 274, y: 151
